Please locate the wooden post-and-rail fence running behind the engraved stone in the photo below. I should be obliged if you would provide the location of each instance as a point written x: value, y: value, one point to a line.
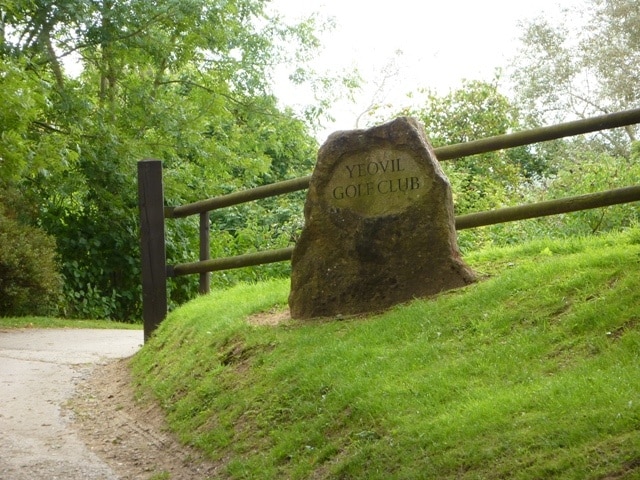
x: 153, y: 213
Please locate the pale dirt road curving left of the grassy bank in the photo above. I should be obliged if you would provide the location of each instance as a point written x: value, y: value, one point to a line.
x: 39, y: 370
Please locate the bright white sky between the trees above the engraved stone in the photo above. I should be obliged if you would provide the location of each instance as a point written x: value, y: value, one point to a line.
x: 441, y: 42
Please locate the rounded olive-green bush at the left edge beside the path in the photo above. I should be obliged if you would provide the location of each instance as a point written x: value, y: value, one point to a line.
x: 29, y: 280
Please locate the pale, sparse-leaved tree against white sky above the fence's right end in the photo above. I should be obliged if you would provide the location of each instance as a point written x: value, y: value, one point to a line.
x: 583, y: 67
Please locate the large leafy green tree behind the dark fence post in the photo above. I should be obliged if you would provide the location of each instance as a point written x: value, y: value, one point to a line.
x: 187, y: 82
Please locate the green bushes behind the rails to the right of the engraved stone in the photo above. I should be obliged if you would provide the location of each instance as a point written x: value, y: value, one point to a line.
x: 545, y: 171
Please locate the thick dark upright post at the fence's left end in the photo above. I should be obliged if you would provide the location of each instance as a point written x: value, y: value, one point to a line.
x: 152, y: 246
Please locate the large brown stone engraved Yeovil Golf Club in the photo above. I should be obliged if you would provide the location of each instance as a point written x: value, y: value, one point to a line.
x: 379, y: 225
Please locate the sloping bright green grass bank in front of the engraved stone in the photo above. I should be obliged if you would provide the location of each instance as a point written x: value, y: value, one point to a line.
x: 532, y: 373
